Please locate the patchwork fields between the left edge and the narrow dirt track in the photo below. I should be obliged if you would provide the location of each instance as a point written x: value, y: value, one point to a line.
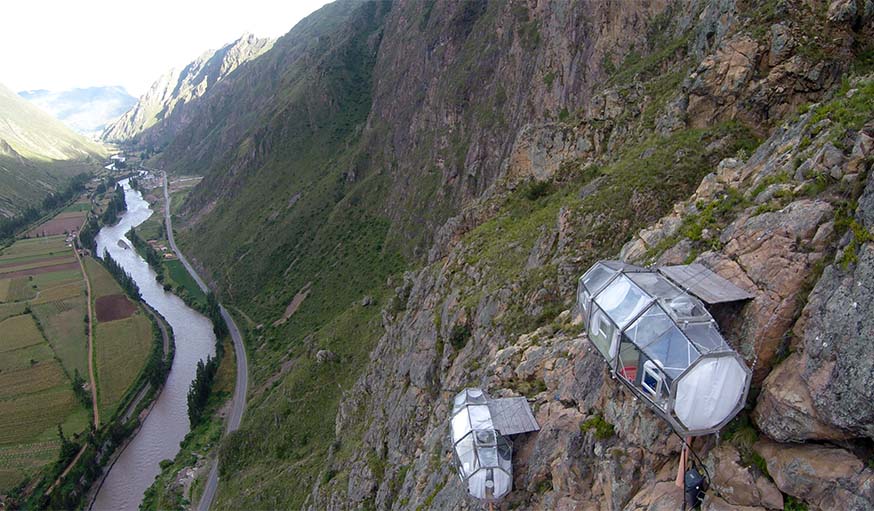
x: 44, y: 344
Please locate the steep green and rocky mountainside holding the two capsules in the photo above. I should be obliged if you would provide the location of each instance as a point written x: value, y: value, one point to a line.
x: 399, y: 197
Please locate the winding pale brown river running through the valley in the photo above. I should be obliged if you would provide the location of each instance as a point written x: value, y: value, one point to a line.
x: 167, y: 424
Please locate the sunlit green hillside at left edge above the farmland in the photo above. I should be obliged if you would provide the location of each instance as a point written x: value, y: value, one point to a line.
x: 38, y: 154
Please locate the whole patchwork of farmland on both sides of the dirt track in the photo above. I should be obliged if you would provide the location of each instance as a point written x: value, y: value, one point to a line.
x: 44, y: 346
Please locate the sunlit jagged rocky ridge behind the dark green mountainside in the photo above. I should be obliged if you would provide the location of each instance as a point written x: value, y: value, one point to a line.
x: 166, y: 107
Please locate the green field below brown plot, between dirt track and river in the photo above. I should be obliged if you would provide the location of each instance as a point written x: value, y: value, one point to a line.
x: 122, y: 348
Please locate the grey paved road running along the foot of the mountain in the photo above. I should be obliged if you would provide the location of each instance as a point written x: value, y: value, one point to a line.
x: 242, y: 385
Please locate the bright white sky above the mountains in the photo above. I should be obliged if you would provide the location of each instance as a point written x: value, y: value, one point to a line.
x: 64, y: 44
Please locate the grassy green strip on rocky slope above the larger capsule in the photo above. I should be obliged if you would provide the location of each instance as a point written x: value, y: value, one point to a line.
x: 634, y: 190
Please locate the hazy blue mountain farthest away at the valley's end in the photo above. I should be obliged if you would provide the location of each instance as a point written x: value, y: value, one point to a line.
x: 87, y: 110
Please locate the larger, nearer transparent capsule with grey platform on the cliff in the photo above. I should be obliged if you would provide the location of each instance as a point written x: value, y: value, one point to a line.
x: 663, y: 344
